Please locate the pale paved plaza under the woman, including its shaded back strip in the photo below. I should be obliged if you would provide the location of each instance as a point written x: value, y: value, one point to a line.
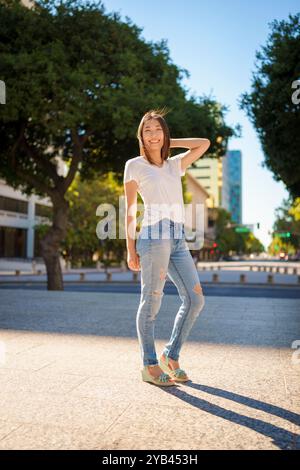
x: 70, y: 374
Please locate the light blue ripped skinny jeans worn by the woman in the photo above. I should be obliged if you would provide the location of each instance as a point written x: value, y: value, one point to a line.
x: 162, y: 250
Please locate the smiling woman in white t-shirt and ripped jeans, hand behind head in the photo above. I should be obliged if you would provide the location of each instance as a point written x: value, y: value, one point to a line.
x: 161, y: 248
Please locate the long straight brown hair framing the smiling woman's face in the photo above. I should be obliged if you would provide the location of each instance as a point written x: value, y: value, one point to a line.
x: 159, y: 115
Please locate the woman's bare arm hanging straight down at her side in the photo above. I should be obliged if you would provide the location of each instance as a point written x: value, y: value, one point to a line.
x: 130, y: 189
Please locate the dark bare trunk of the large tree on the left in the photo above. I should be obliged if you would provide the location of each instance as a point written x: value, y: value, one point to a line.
x: 51, y: 243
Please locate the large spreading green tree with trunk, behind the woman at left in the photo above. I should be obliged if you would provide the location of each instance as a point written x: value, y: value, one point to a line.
x: 78, y: 81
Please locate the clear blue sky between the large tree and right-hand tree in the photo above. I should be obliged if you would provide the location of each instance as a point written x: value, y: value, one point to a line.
x: 216, y: 41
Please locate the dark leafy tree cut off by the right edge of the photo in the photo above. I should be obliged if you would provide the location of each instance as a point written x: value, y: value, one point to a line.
x: 269, y: 106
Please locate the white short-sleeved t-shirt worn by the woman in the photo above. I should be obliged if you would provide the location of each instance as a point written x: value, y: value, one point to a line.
x: 160, y: 188
